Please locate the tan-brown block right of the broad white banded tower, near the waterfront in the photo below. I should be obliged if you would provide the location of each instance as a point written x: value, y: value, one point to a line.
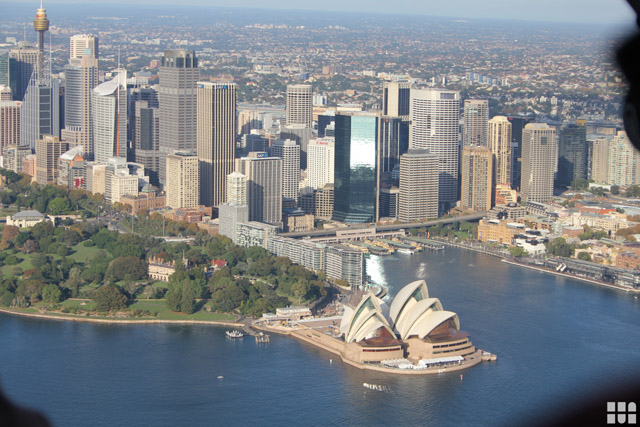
x: 477, y: 178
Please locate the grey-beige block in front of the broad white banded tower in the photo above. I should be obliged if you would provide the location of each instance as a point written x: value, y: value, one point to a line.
x: 418, y: 197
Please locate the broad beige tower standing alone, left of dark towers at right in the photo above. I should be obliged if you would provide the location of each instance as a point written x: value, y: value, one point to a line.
x: 539, y: 160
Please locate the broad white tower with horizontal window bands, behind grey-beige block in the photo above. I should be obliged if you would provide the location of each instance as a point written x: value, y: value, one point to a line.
x: 435, y: 114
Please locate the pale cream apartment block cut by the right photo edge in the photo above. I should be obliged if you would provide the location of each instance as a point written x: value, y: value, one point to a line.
x: 624, y: 161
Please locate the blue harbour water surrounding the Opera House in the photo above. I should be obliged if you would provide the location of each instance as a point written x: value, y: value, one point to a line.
x: 555, y: 338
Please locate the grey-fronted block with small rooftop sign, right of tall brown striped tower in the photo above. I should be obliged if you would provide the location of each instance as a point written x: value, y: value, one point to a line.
x: 264, y: 186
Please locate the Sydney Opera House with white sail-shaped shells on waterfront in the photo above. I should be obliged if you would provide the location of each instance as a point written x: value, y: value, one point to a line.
x: 415, y: 334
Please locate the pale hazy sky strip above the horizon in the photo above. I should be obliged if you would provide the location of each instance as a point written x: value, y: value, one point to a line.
x: 579, y: 11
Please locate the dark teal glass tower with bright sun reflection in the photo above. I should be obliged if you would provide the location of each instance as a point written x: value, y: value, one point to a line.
x: 356, y: 168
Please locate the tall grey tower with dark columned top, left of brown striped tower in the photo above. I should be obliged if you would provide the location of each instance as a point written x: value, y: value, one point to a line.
x: 177, y: 95
